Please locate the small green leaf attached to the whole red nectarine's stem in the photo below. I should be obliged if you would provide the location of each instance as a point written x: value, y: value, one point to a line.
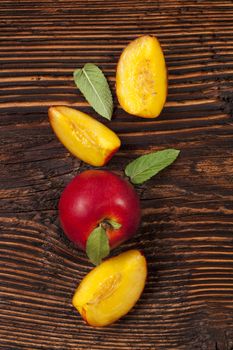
x: 97, y: 246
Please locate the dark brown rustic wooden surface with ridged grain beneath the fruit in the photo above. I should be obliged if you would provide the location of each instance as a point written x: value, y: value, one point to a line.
x: 187, y: 225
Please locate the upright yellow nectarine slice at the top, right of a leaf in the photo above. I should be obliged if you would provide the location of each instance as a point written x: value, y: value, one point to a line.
x: 141, y: 78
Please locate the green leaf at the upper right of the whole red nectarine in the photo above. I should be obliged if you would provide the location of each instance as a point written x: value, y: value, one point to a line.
x: 144, y: 167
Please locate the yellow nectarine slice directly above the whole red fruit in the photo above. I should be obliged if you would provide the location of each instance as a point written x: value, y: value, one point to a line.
x: 84, y: 136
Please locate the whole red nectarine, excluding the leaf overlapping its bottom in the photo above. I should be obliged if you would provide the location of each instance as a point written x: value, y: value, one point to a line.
x: 94, y: 196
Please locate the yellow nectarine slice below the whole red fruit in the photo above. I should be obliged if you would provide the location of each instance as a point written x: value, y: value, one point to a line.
x: 111, y: 289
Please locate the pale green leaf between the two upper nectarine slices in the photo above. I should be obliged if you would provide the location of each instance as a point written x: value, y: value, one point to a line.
x: 94, y: 86
